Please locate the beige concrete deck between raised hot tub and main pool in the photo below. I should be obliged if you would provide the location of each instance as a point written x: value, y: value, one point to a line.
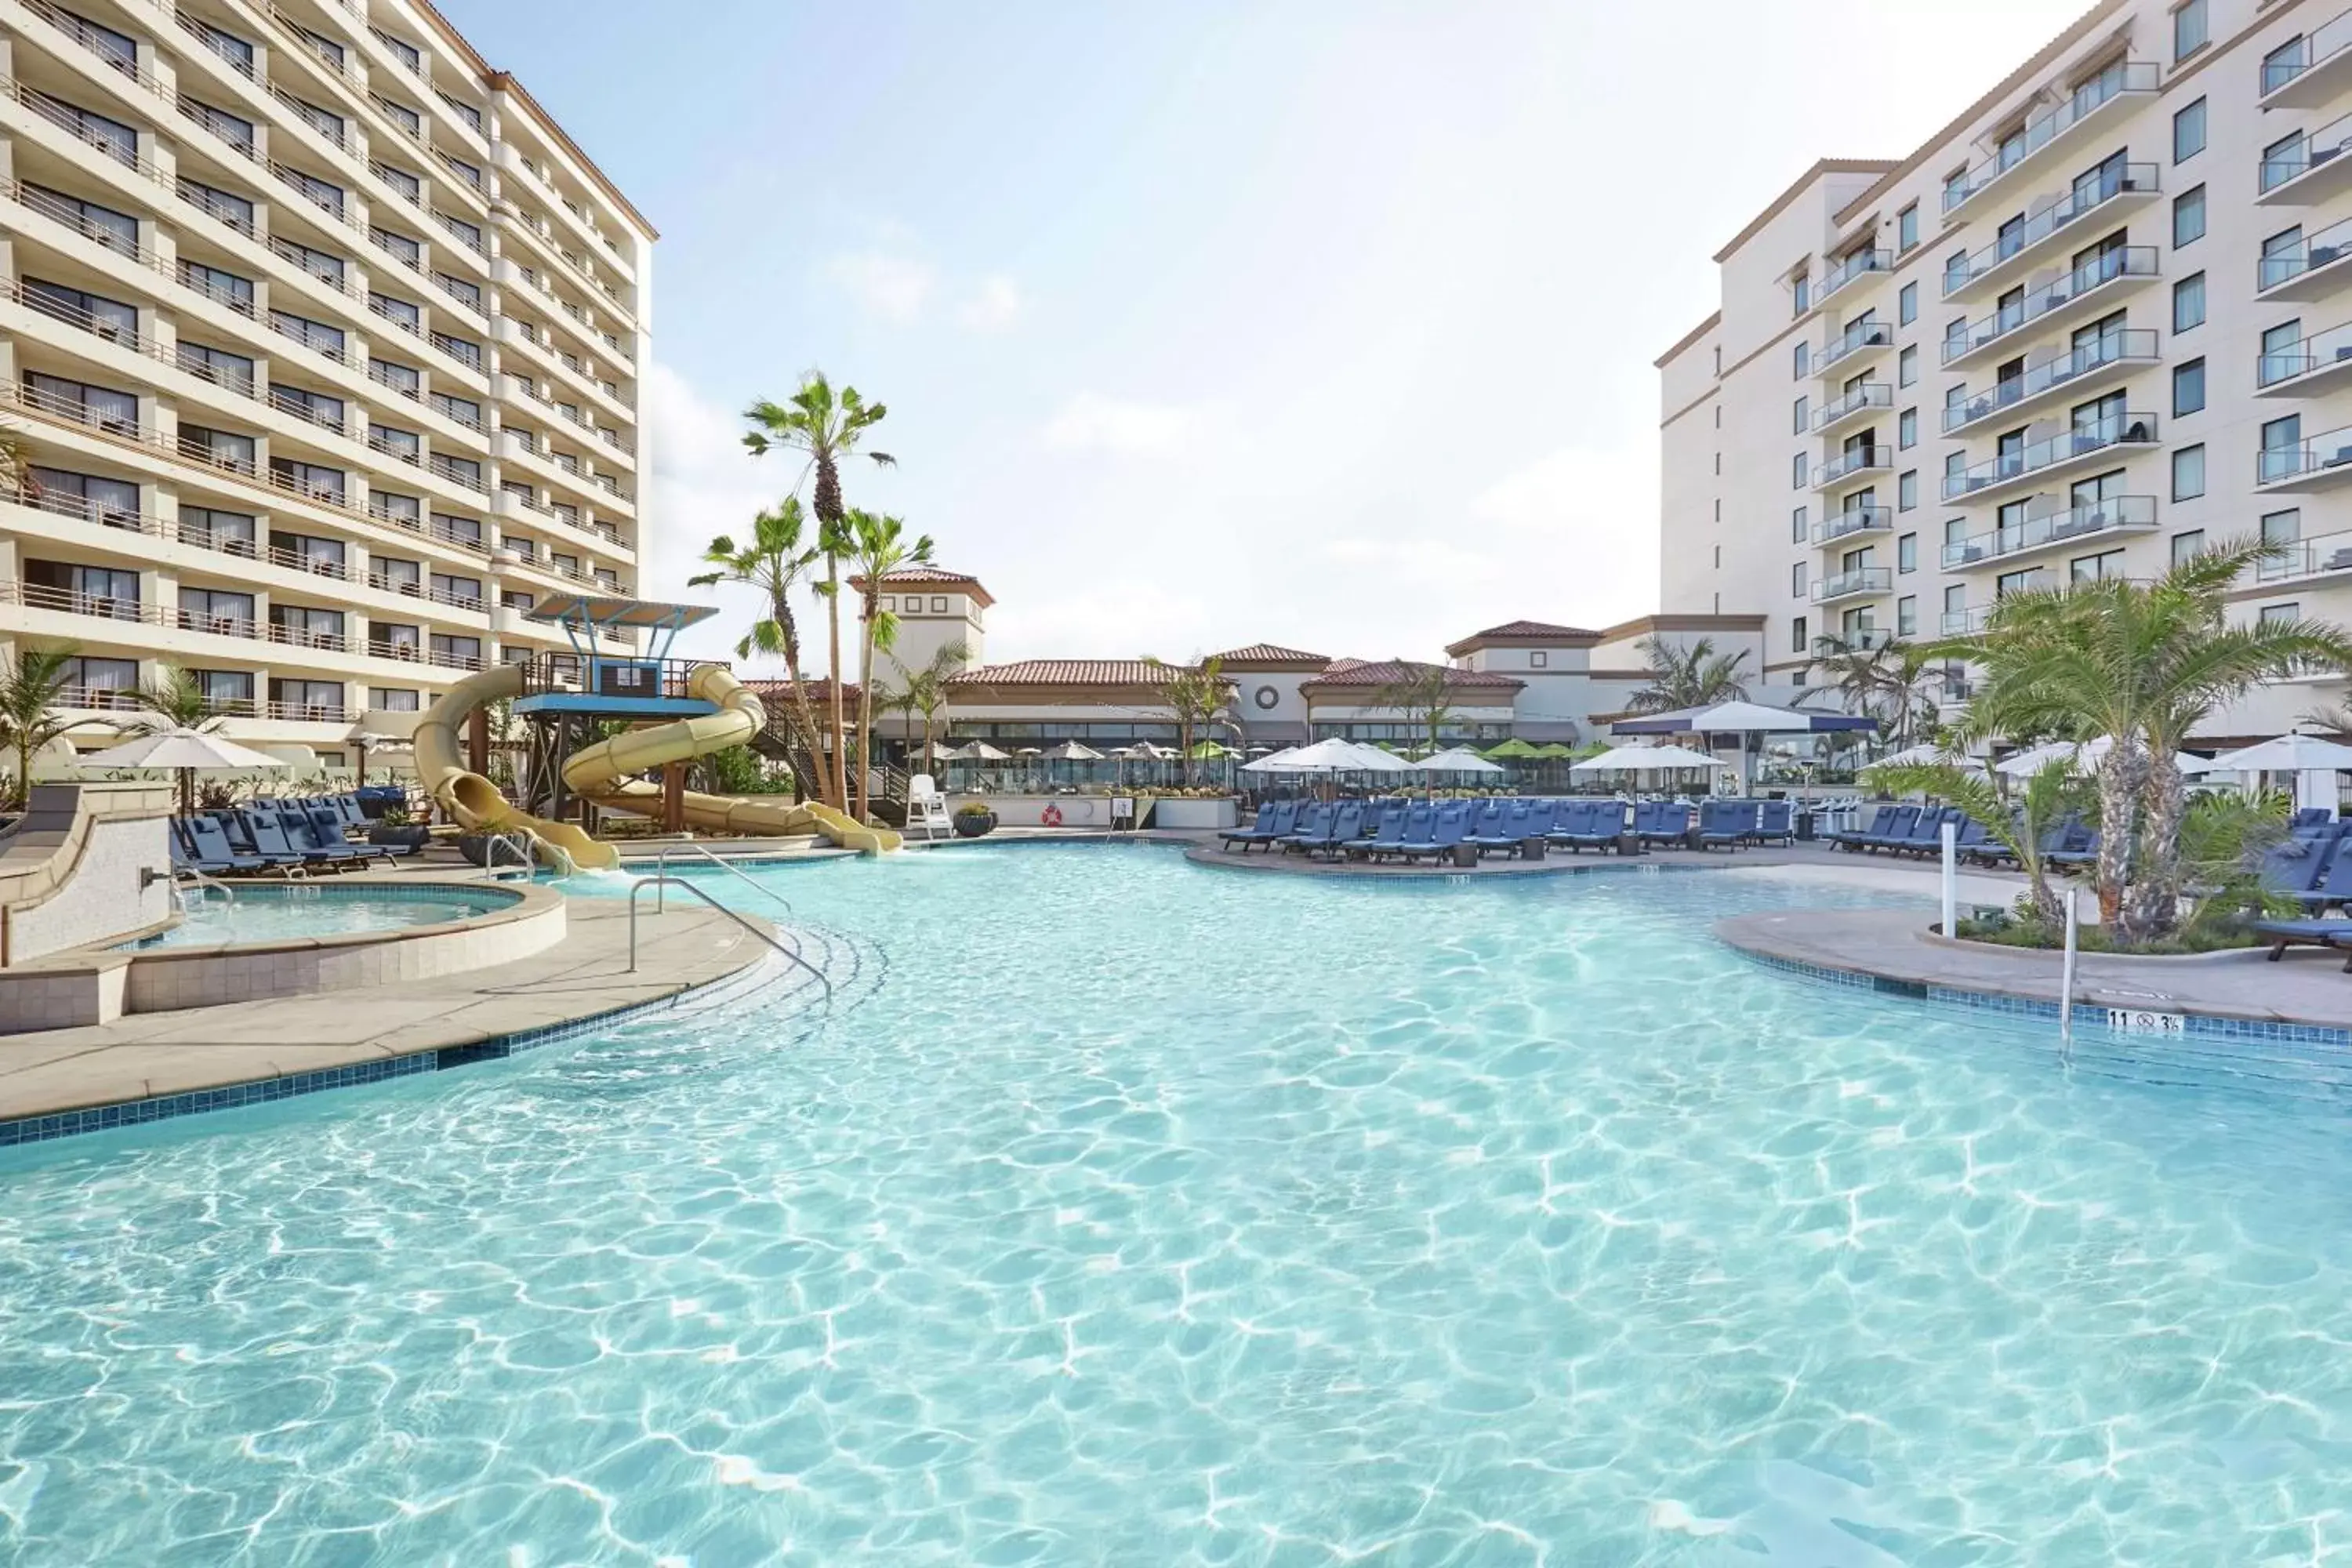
x: 246, y: 1043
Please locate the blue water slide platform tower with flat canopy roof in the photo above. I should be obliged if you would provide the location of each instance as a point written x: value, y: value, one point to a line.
x: 601, y: 681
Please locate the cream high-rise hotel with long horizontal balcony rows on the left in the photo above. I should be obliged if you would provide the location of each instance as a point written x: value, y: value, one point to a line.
x: 319, y: 342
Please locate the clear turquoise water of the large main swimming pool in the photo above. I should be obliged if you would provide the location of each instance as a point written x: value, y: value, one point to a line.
x: 1140, y: 1214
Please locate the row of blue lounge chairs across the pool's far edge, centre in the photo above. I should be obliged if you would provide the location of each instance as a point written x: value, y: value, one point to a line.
x: 1422, y: 831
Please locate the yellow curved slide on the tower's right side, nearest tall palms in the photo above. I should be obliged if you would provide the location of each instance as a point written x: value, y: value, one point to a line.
x: 603, y: 772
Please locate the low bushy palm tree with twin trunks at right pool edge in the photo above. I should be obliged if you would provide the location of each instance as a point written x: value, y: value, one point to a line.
x: 2137, y: 664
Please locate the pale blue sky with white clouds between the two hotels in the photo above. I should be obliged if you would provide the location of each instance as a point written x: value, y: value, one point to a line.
x: 1323, y: 323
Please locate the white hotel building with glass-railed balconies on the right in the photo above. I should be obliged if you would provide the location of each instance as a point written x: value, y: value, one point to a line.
x: 2094, y: 323
